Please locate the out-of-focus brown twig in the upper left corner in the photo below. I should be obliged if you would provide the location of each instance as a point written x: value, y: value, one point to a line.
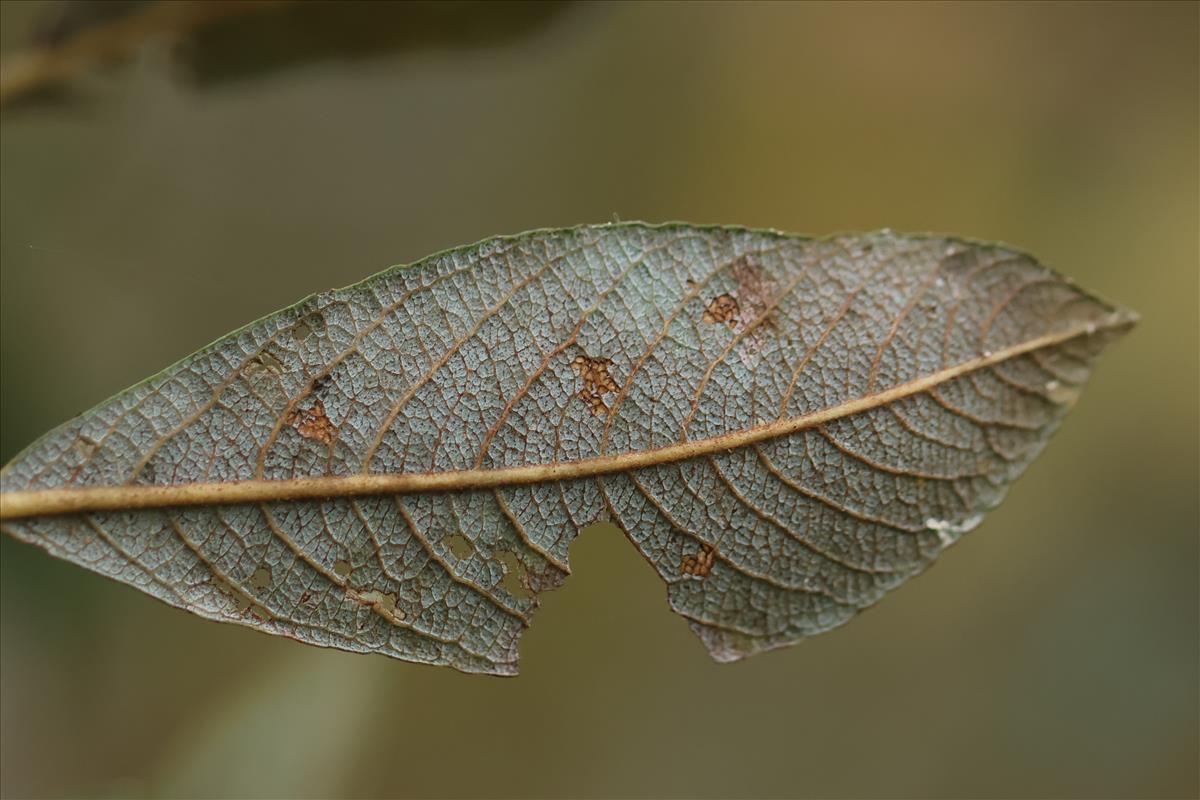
x: 49, y: 64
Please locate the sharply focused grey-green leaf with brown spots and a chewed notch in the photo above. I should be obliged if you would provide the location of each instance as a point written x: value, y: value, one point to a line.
x: 787, y: 429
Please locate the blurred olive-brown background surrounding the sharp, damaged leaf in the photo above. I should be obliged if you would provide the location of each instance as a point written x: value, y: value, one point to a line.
x: 173, y: 172
